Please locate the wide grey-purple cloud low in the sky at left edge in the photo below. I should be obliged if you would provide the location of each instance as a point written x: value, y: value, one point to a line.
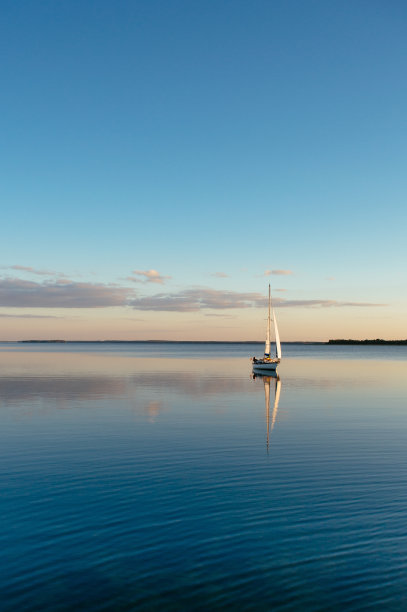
x: 18, y: 293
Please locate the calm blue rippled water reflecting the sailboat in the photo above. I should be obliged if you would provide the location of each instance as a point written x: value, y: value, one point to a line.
x: 164, y: 477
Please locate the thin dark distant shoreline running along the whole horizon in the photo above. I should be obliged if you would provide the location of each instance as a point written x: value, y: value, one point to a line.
x: 377, y: 341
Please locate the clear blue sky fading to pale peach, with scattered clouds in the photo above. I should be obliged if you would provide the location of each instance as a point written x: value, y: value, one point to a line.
x: 161, y: 162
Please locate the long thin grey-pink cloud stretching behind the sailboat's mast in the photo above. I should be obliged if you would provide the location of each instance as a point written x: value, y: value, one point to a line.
x: 193, y: 300
